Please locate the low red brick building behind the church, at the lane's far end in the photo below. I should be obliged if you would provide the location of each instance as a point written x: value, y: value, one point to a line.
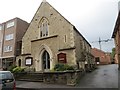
x: 101, y: 57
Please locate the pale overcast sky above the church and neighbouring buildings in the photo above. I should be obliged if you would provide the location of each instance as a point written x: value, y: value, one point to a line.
x: 93, y: 18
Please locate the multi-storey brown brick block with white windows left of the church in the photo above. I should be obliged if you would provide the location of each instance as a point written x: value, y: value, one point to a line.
x: 11, y: 33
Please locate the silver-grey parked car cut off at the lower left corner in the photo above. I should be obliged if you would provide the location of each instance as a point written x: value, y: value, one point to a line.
x: 7, y: 81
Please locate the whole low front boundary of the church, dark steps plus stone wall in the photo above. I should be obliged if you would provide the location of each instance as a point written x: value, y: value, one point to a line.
x: 56, y: 77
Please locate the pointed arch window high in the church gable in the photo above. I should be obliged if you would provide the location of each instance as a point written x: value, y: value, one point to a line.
x: 44, y: 28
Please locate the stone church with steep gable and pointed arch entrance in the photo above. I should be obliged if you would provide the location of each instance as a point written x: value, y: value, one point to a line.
x: 51, y: 39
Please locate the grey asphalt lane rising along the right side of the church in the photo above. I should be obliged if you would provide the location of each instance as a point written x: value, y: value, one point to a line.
x: 106, y: 76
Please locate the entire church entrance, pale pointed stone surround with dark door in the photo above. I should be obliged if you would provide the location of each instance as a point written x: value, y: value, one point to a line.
x: 43, y: 59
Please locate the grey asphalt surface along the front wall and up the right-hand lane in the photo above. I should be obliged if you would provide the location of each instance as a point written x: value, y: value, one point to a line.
x: 106, y: 76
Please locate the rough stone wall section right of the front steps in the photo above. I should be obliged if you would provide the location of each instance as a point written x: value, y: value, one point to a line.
x: 64, y: 77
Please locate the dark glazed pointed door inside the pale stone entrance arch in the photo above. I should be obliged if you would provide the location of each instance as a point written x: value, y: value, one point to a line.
x: 46, y: 60
